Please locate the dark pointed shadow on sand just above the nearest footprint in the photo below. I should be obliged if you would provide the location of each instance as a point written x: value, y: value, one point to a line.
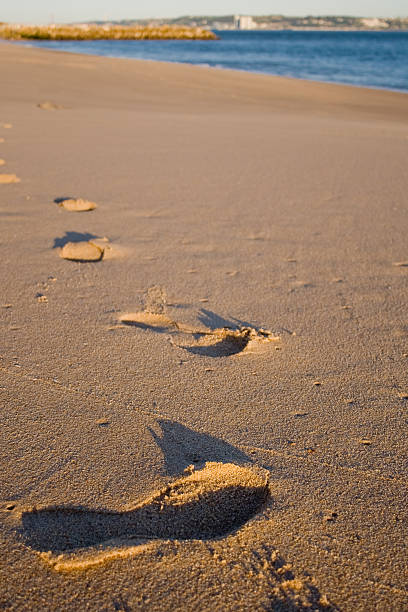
x: 182, y: 446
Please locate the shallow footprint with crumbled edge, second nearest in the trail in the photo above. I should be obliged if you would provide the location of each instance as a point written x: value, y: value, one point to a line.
x: 211, y: 341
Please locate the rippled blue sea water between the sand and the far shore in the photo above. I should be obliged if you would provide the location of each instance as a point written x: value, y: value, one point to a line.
x: 368, y: 59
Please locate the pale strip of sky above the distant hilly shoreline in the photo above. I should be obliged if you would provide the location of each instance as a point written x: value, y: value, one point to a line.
x: 44, y: 11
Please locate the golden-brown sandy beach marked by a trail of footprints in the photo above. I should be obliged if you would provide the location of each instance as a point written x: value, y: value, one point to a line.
x: 210, y: 412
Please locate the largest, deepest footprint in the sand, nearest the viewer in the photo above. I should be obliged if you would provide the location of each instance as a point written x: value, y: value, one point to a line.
x: 202, y: 505
